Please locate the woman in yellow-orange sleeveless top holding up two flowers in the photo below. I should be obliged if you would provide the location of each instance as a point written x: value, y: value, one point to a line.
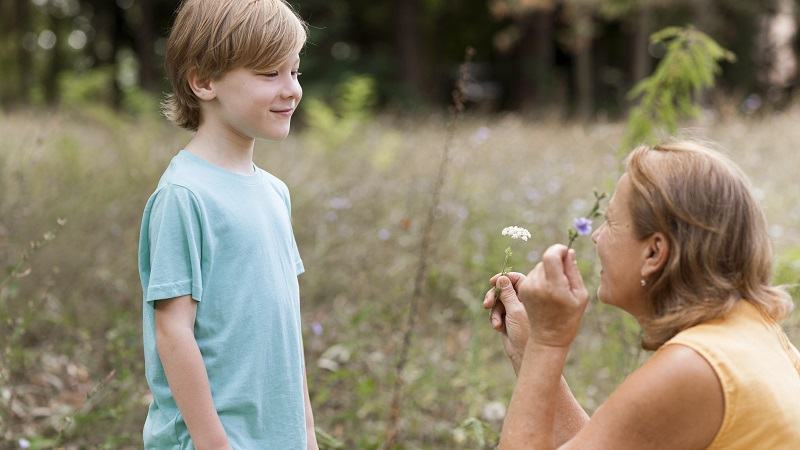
x: 684, y: 249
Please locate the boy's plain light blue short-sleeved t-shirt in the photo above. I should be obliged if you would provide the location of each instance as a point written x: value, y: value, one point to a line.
x: 226, y: 239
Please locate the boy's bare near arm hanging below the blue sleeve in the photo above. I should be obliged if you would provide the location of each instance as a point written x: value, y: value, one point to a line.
x: 186, y: 373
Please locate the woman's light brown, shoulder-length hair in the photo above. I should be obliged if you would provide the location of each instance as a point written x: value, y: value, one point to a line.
x: 719, y: 249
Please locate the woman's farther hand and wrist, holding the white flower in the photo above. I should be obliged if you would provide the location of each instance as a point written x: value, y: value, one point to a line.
x: 508, y: 315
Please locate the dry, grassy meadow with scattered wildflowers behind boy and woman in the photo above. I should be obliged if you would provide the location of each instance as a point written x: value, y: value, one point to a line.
x: 73, y: 185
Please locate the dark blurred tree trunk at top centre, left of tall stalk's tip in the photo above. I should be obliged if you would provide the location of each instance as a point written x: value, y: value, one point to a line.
x: 408, y: 45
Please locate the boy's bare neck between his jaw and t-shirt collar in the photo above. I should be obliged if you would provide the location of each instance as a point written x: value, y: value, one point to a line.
x: 223, y: 146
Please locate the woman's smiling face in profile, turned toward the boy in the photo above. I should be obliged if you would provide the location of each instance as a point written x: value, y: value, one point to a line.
x: 621, y: 255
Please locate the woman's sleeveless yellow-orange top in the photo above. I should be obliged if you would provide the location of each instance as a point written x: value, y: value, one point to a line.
x: 759, y: 370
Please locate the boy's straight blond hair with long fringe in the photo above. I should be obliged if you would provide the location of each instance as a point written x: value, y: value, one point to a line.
x: 212, y: 37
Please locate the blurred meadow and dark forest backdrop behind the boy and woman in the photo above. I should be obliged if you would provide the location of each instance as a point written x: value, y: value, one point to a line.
x: 548, y: 116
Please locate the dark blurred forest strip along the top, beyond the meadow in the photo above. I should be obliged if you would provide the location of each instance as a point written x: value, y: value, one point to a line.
x: 581, y: 55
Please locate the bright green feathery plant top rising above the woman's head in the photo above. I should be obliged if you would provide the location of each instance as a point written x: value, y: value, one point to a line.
x: 690, y: 65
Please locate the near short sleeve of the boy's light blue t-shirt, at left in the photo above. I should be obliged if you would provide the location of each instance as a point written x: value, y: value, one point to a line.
x: 175, y: 245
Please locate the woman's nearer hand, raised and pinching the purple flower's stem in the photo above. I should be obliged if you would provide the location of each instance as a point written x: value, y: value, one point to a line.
x: 554, y: 297
